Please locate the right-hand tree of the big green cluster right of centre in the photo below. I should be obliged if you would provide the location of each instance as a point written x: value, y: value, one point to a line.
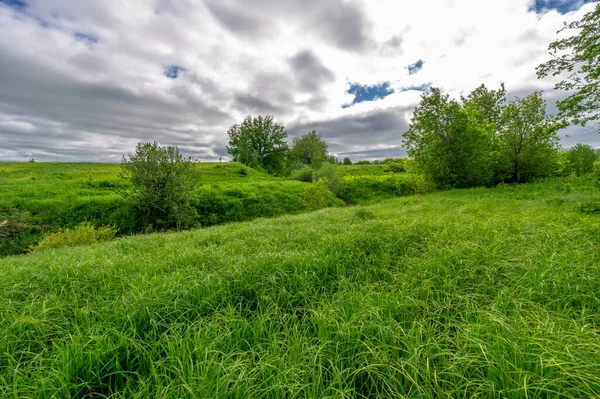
x: 528, y: 140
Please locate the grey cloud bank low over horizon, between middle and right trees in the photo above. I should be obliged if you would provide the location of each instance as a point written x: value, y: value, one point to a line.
x: 359, y: 134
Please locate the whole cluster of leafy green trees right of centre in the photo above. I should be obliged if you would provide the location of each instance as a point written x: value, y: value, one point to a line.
x: 481, y: 140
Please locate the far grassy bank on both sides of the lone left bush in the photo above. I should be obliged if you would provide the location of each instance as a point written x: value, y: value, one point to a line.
x: 39, y: 198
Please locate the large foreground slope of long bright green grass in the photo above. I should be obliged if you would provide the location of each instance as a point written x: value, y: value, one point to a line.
x: 489, y: 293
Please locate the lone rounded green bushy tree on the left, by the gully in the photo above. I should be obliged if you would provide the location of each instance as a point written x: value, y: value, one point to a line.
x: 162, y: 181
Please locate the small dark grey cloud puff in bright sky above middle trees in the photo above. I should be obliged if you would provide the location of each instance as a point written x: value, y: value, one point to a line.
x: 310, y: 73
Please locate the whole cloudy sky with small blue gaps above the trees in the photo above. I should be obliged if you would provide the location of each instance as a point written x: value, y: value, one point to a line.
x: 84, y: 80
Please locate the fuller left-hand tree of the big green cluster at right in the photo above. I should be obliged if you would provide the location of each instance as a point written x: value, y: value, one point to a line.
x: 445, y: 143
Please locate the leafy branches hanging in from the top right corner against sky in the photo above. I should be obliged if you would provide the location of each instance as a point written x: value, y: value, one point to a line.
x: 579, y: 57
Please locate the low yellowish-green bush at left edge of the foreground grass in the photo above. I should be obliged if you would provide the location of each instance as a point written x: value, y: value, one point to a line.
x: 84, y: 234
